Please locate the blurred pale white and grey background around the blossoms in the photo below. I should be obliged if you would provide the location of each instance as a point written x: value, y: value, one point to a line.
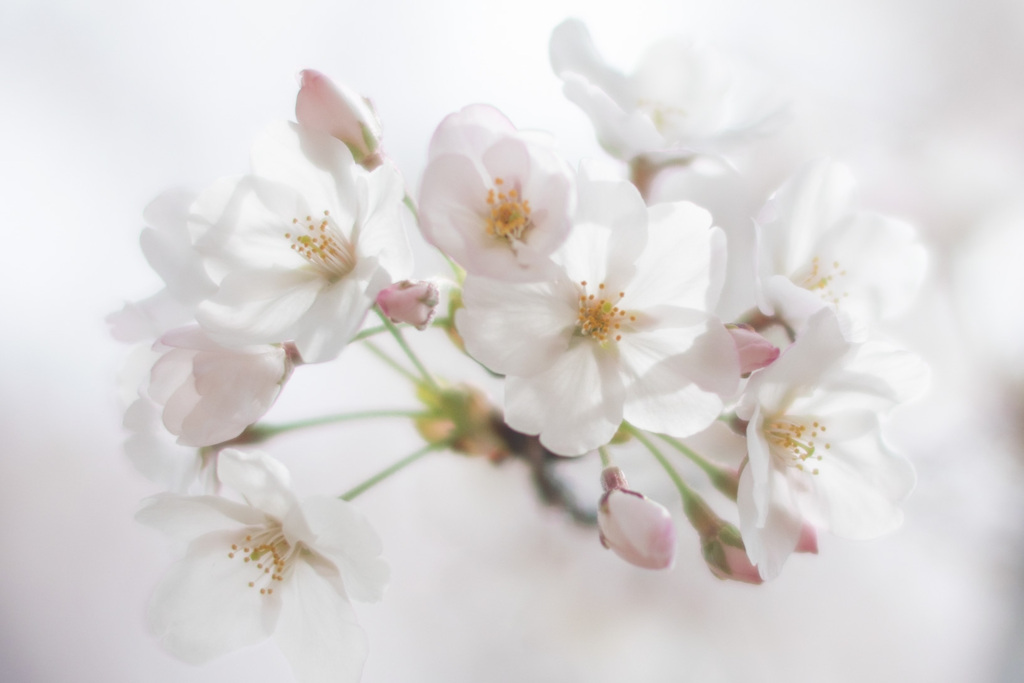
x: 106, y: 104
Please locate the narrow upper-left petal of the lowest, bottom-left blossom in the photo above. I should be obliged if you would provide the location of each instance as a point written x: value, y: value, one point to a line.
x: 187, y: 518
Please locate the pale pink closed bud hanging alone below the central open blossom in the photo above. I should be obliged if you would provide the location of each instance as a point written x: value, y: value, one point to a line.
x: 637, y: 529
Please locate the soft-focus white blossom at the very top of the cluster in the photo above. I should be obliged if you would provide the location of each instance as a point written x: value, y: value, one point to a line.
x: 684, y: 99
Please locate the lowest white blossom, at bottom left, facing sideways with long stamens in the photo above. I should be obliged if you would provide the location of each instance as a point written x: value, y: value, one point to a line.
x: 271, y: 566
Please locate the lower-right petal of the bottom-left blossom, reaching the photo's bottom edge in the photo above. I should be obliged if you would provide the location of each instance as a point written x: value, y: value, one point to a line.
x: 318, y: 631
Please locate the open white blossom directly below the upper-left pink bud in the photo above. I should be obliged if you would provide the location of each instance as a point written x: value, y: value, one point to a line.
x: 301, y: 248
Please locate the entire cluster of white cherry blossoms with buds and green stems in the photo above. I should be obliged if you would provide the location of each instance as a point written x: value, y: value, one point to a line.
x: 599, y: 307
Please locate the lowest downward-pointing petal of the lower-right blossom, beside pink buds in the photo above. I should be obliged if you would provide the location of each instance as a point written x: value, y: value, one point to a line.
x: 770, y: 543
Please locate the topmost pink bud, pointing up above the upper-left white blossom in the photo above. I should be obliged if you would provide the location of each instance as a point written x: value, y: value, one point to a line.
x: 333, y: 109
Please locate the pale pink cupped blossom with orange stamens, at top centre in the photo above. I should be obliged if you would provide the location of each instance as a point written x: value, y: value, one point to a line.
x: 496, y: 200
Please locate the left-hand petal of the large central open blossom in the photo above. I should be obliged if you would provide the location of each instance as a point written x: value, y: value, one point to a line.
x: 517, y: 329
